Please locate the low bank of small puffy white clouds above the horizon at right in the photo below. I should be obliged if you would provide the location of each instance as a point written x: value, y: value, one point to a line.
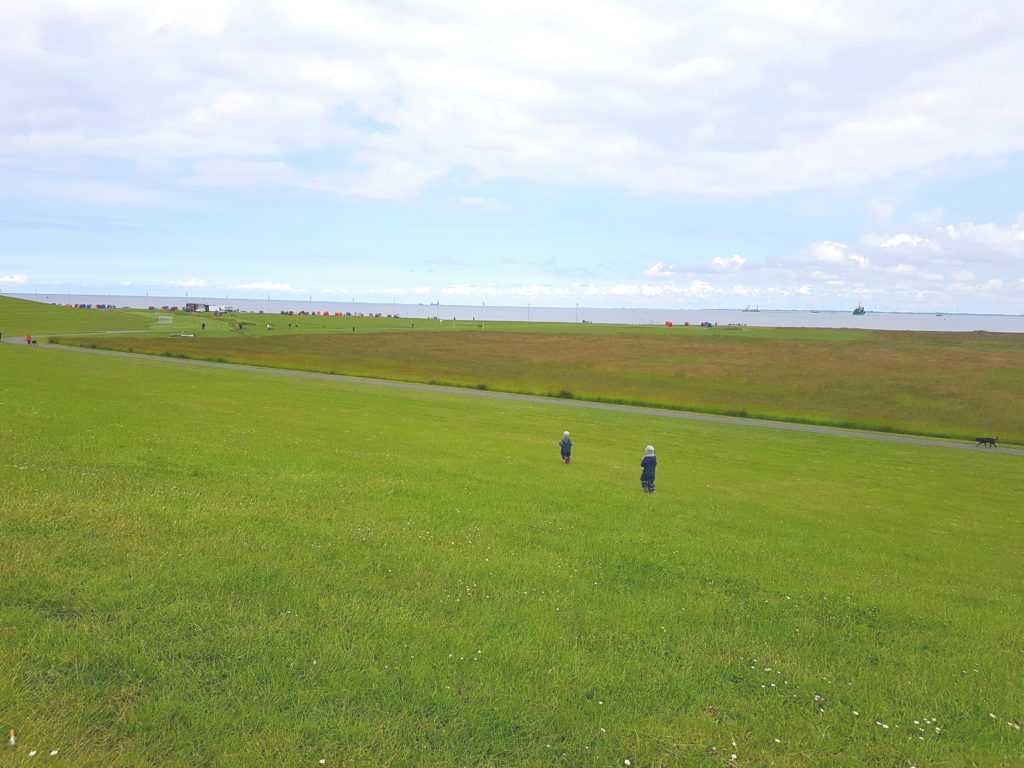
x: 932, y: 270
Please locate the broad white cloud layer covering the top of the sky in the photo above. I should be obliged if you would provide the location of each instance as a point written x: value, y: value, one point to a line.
x: 735, y: 99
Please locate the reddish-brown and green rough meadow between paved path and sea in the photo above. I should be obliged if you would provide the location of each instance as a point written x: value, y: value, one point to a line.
x: 940, y: 385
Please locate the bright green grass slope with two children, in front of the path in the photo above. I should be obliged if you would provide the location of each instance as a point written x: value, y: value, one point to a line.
x: 222, y: 568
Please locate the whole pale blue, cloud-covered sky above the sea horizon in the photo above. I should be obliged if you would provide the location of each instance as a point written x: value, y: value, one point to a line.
x: 653, y: 153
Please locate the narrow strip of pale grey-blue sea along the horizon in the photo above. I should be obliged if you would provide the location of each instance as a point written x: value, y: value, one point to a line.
x: 616, y: 316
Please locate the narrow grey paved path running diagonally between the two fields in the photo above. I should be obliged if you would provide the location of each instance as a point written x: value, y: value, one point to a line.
x: 530, y: 399
